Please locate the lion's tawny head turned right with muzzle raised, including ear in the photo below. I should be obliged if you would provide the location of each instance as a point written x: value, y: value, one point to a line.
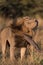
x: 28, y: 24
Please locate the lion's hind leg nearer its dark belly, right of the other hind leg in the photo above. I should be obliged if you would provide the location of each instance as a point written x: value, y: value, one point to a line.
x: 12, y: 47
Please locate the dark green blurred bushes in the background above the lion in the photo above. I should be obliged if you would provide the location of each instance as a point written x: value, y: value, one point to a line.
x: 22, y: 7
